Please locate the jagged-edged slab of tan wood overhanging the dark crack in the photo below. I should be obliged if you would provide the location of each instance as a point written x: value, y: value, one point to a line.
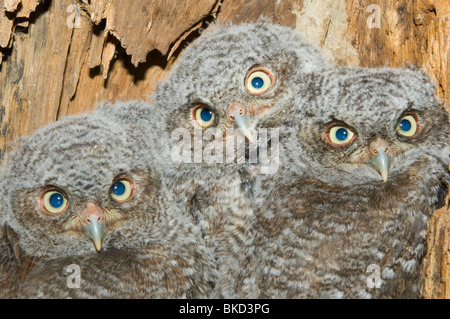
x: 151, y: 25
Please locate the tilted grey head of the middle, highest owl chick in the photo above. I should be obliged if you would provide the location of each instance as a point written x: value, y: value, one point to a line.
x: 232, y: 74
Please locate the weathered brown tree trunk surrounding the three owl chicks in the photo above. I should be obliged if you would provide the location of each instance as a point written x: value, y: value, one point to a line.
x: 63, y: 57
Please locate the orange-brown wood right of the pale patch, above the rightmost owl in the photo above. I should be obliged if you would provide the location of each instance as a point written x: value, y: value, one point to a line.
x: 409, y: 33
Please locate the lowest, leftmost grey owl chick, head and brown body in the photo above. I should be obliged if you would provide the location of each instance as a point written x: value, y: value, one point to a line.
x: 88, y: 215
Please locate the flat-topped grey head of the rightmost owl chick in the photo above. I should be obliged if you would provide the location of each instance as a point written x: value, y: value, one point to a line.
x: 358, y: 125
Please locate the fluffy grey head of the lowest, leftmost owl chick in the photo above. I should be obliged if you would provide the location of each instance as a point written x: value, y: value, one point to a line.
x: 81, y: 185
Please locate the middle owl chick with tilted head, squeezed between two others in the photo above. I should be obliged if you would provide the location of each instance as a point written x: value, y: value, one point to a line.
x: 227, y: 77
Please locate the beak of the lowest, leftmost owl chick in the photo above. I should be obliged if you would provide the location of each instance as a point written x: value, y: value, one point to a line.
x: 94, y: 224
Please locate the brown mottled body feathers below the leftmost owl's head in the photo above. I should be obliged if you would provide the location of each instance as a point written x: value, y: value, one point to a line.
x: 155, y: 272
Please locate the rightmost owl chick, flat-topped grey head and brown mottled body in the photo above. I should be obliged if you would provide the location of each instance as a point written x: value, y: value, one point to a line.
x: 363, y: 165
